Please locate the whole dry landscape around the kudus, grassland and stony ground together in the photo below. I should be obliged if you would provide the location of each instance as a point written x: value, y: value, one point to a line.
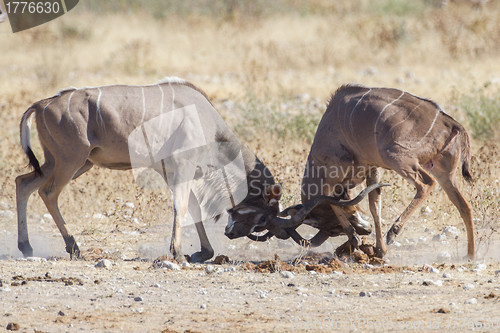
x: 269, y: 70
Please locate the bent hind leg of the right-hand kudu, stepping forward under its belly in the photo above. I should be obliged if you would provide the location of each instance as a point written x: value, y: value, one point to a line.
x: 424, y: 184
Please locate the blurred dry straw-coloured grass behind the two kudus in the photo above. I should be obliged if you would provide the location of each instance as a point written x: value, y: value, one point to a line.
x: 269, y: 71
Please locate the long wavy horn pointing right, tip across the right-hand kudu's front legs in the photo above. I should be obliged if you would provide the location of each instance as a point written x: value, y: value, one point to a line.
x: 297, y: 219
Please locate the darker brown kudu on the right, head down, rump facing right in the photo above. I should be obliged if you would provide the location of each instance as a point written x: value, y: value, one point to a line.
x: 364, y: 129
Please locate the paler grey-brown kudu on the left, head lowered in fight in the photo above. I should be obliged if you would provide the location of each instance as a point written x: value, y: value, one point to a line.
x: 123, y: 127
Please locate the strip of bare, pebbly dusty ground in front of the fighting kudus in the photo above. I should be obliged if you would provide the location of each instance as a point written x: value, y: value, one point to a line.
x: 134, y: 296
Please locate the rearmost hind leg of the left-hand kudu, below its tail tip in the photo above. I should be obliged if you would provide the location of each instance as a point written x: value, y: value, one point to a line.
x: 25, y: 185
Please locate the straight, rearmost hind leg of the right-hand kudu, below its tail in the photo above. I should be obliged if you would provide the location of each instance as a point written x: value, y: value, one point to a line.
x: 445, y: 173
